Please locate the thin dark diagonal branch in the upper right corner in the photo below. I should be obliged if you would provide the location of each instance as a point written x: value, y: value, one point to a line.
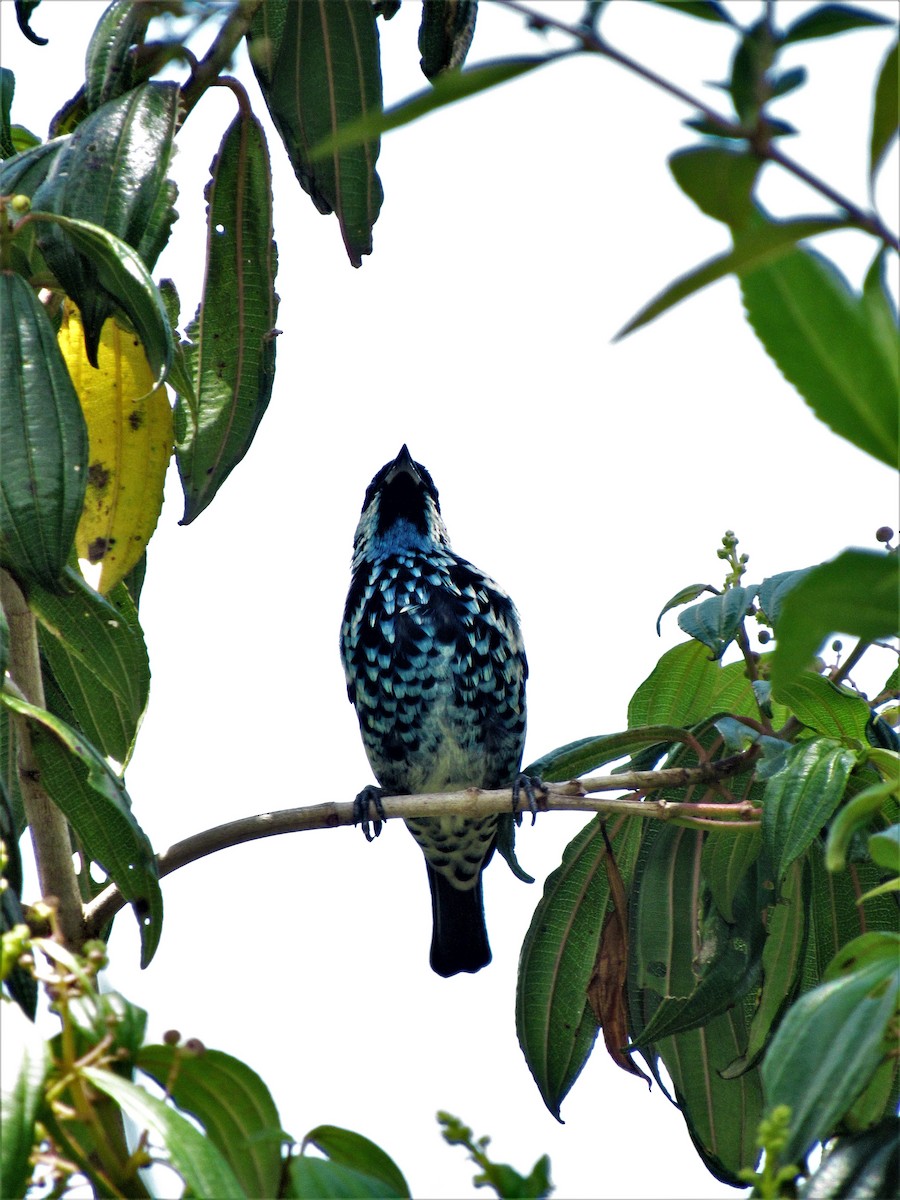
x: 763, y: 147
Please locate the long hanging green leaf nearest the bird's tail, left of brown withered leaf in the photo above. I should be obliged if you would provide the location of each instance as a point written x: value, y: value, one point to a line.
x: 555, y: 1023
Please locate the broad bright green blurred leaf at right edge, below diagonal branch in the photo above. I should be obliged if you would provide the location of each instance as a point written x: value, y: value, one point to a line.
x: 821, y: 337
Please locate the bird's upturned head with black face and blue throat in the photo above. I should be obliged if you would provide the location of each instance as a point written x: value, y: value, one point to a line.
x: 400, y: 513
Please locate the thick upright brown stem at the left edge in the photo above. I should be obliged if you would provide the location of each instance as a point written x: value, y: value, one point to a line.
x: 50, y: 830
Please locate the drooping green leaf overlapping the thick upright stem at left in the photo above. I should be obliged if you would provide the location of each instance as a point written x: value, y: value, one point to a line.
x: 94, y: 801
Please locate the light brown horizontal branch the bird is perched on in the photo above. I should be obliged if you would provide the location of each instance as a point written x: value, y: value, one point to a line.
x: 572, y: 797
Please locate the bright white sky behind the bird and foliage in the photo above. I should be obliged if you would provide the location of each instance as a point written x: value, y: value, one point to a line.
x: 520, y: 231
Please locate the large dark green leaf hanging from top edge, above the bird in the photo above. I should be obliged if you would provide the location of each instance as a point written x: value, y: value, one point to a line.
x: 319, y: 68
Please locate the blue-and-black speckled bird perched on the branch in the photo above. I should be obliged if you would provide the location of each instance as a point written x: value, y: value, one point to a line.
x: 436, y: 670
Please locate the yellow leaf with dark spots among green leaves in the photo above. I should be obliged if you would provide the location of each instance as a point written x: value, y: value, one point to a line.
x: 130, y: 435
